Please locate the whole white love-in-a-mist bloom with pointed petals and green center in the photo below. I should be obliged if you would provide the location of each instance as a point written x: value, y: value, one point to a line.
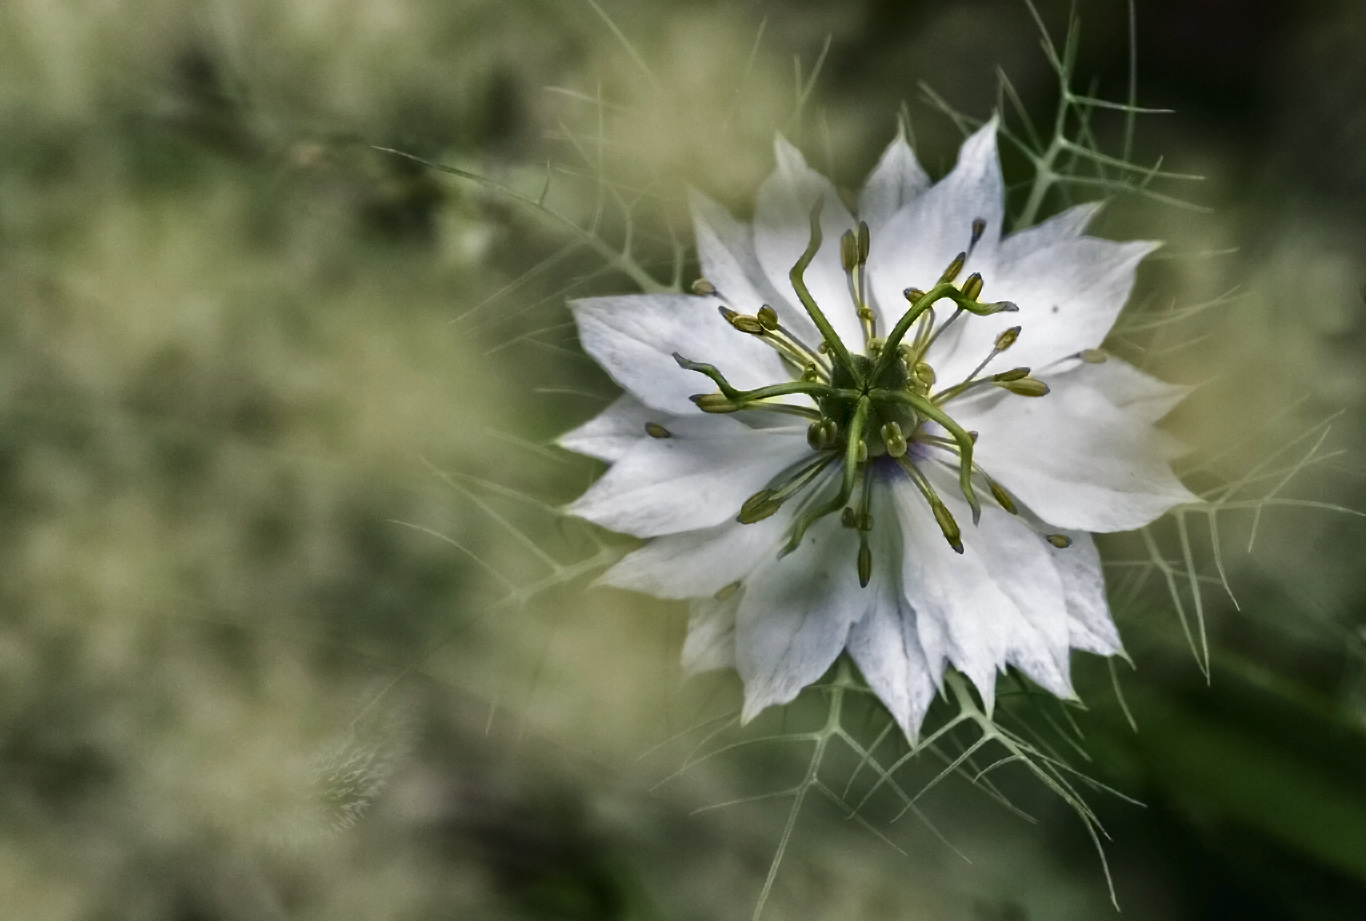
x: 887, y: 434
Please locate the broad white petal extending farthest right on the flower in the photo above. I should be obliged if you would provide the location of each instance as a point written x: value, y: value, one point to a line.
x: 1076, y: 458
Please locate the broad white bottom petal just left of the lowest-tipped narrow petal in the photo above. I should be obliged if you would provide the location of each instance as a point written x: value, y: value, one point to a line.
x: 797, y: 614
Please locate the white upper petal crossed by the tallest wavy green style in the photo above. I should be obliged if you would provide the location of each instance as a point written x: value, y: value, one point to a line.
x: 783, y: 230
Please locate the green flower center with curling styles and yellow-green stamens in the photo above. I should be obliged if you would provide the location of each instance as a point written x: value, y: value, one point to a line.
x: 871, y: 407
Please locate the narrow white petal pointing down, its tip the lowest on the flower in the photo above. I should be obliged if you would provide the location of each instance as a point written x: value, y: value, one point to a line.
x: 886, y: 644
